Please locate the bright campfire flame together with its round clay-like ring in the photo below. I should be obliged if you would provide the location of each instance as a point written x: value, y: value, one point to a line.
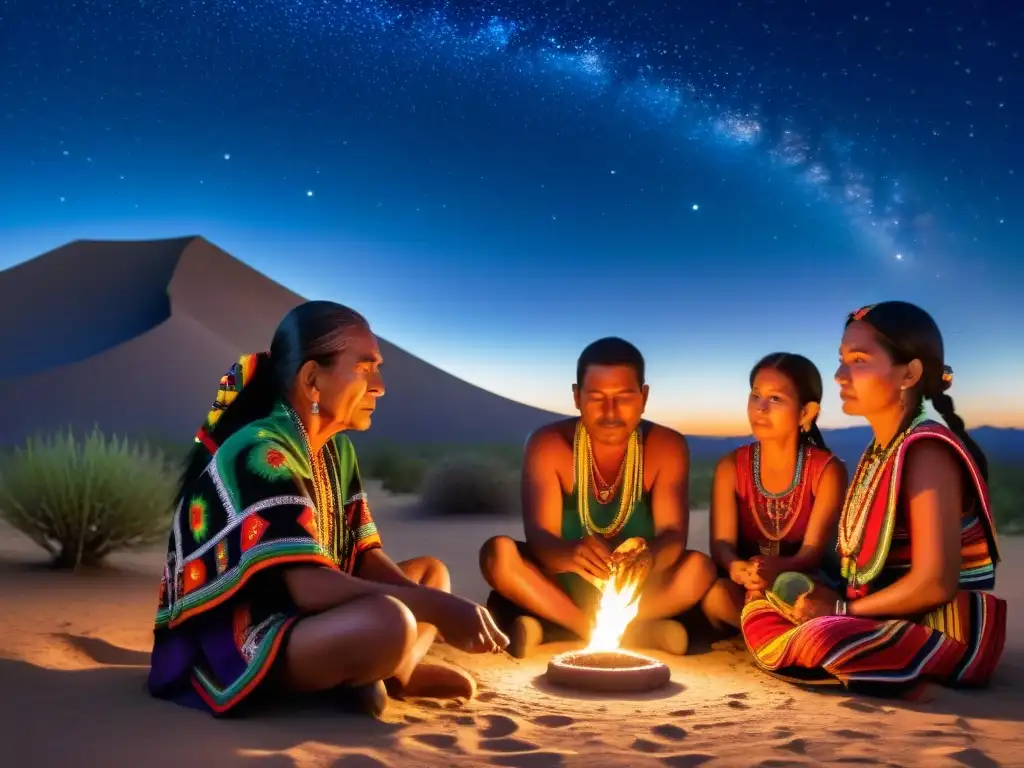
x: 604, y: 665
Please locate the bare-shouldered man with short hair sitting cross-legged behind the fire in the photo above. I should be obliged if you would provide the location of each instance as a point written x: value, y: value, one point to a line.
x: 572, y: 530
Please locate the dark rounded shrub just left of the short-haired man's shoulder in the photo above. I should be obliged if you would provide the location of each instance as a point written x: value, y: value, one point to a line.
x: 471, y: 486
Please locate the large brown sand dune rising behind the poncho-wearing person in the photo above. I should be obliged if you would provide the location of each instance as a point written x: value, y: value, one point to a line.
x: 135, y: 336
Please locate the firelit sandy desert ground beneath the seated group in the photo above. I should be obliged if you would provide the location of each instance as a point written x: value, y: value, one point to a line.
x: 74, y: 651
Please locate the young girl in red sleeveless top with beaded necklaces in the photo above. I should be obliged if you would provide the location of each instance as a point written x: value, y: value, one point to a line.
x: 776, y: 502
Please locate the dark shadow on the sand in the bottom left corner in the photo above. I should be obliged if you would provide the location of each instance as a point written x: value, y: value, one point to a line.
x: 105, y: 717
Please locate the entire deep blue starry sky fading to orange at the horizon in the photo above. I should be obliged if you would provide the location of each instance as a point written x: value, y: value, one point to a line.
x: 495, y: 186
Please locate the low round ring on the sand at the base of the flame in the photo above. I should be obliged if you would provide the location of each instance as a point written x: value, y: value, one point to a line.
x: 608, y: 672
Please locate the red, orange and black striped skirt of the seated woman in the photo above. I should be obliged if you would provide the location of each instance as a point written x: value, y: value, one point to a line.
x: 959, y: 645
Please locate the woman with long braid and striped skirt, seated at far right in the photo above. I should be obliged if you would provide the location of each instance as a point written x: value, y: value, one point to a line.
x: 917, y: 538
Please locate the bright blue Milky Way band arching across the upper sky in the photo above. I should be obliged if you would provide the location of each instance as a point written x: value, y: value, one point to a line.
x: 693, y: 104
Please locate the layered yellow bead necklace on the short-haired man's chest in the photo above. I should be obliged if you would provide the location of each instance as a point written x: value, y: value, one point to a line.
x: 630, y: 478
